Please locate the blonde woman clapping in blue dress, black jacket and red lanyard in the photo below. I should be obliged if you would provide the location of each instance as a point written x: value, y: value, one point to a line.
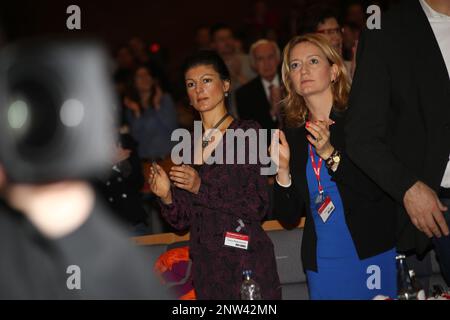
x: 348, y: 248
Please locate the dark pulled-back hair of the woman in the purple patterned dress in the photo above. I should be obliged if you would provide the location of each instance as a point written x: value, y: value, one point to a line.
x: 208, y: 58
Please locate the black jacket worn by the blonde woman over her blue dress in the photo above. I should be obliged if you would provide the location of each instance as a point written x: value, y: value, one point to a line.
x: 368, y: 212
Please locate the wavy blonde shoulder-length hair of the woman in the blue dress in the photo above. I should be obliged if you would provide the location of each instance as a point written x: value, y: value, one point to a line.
x: 295, y: 110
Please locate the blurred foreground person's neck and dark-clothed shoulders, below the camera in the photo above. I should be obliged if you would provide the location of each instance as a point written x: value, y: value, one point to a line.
x: 47, y: 228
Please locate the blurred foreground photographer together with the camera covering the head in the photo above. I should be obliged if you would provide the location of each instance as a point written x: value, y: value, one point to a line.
x: 57, y: 241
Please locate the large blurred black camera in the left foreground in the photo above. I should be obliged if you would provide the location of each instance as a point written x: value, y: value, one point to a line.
x: 56, y: 111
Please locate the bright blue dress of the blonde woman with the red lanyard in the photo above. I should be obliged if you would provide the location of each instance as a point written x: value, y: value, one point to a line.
x: 341, y: 274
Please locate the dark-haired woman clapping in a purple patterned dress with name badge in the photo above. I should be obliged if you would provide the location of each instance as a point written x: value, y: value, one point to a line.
x: 221, y: 204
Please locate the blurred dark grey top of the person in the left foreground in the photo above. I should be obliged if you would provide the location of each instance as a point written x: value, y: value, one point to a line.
x: 35, y: 267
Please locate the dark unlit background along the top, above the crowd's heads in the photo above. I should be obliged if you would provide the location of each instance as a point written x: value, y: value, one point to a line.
x: 171, y: 23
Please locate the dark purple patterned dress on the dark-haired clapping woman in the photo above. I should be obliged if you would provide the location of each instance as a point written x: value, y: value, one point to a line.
x: 228, y: 192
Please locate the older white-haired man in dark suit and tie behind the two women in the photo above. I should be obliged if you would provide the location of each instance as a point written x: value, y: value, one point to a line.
x: 259, y: 99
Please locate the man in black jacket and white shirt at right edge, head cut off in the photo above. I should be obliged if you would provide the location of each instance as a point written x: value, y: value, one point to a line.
x: 398, y: 126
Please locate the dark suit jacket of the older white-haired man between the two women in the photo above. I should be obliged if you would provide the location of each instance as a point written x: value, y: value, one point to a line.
x: 252, y: 104
